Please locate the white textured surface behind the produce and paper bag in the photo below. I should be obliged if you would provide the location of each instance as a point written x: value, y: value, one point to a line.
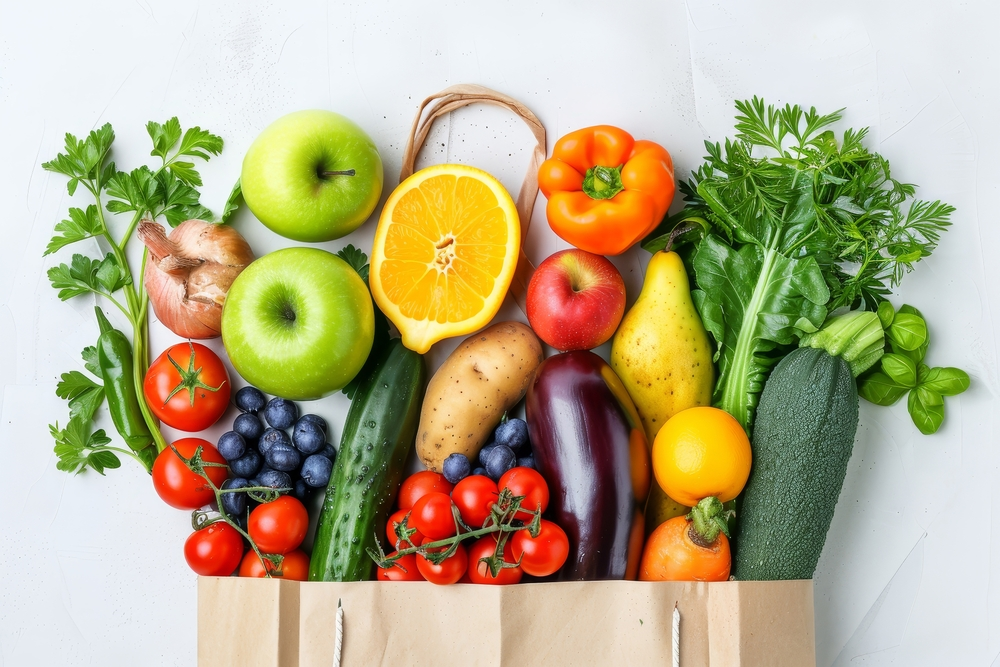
x: 91, y: 568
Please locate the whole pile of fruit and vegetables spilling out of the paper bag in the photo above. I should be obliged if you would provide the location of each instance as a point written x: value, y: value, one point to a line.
x: 713, y: 443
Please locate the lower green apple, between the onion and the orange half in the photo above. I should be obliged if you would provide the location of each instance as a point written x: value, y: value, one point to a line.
x: 298, y: 323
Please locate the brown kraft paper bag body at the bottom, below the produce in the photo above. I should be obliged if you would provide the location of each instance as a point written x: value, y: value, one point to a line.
x: 286, y: 624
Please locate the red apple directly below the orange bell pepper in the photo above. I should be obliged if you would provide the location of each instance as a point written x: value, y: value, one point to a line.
x: 576, y: 300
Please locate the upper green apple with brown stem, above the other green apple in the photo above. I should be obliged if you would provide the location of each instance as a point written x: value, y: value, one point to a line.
x: 312, y: 176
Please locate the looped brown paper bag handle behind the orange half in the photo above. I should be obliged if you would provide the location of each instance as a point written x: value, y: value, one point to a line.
x: 455, y: 97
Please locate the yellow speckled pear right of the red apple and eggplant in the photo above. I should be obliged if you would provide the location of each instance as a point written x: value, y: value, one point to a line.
x: 661, y: 350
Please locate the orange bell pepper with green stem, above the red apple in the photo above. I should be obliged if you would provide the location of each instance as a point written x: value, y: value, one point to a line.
x: 606, y: 190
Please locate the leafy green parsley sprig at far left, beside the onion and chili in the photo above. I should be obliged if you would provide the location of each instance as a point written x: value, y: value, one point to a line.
x: 167, y: 191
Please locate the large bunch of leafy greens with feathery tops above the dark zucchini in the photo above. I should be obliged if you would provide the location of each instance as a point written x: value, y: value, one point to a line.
x: 800, y: 222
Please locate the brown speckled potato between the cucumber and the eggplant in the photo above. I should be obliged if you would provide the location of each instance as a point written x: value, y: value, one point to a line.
x: 483, y: 378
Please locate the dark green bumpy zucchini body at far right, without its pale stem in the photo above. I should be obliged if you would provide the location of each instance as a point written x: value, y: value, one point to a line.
x: 802, y: 441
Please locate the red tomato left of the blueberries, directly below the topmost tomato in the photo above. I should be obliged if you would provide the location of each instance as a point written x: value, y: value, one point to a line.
x: 177, y: 485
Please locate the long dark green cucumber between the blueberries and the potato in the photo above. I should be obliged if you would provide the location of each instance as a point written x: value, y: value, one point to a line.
x: 378, y: 435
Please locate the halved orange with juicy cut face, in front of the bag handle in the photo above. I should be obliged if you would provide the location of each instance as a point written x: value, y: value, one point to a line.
x: 444, y: 253
